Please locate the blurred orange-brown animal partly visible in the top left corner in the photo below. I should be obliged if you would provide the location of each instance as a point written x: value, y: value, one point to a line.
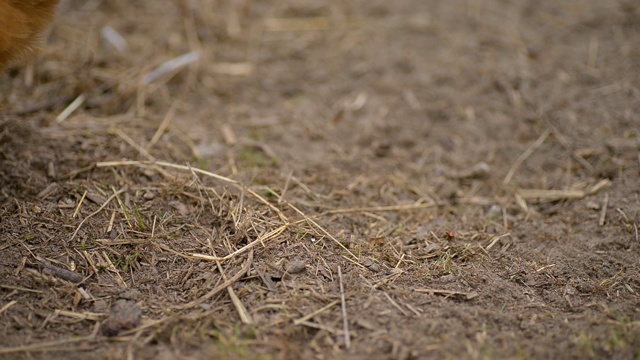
x: 21, y: 24
